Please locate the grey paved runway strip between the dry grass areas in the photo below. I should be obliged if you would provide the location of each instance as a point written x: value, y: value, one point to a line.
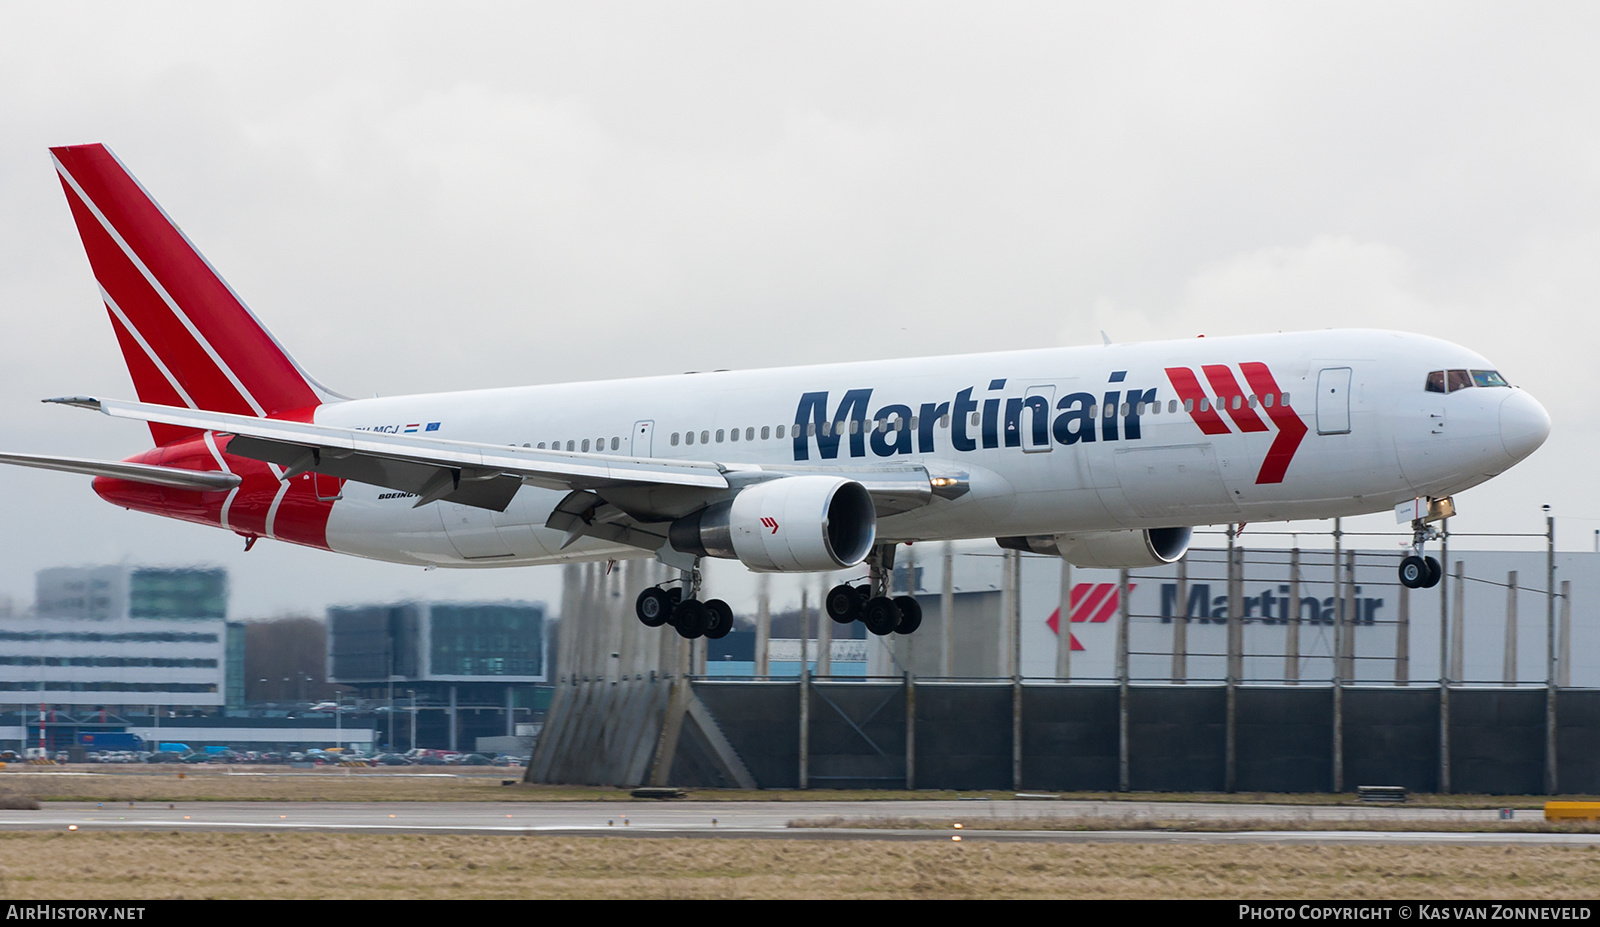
x: 775, y: 821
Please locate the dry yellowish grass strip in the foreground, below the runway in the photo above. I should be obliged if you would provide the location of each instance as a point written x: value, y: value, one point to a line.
x: 158, y: 865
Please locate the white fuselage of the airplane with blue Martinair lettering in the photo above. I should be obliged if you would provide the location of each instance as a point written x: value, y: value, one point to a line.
x: 1030, y: 431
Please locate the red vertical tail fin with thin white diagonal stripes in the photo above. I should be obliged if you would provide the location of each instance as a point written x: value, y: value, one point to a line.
x: 186, y: 337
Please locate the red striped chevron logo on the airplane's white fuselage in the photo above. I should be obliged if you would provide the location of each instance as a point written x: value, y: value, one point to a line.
x: 1241, y: 407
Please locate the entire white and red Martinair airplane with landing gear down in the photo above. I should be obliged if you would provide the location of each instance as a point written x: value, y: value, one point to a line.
x: 1103, y: 455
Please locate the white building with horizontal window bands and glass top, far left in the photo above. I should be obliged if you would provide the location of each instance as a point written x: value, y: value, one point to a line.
x: 143, y: 651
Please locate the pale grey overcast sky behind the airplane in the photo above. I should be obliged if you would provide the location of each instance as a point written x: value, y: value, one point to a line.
x: 494, y: 195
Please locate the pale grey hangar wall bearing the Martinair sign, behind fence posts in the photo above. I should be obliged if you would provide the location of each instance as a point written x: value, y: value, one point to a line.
x: 1270, y: 609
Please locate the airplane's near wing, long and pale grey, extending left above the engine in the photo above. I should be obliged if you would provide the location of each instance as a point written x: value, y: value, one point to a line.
x: 487, y: 475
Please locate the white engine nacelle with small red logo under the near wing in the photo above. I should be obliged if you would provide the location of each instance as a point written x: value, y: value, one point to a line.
x: 786, y: 526
